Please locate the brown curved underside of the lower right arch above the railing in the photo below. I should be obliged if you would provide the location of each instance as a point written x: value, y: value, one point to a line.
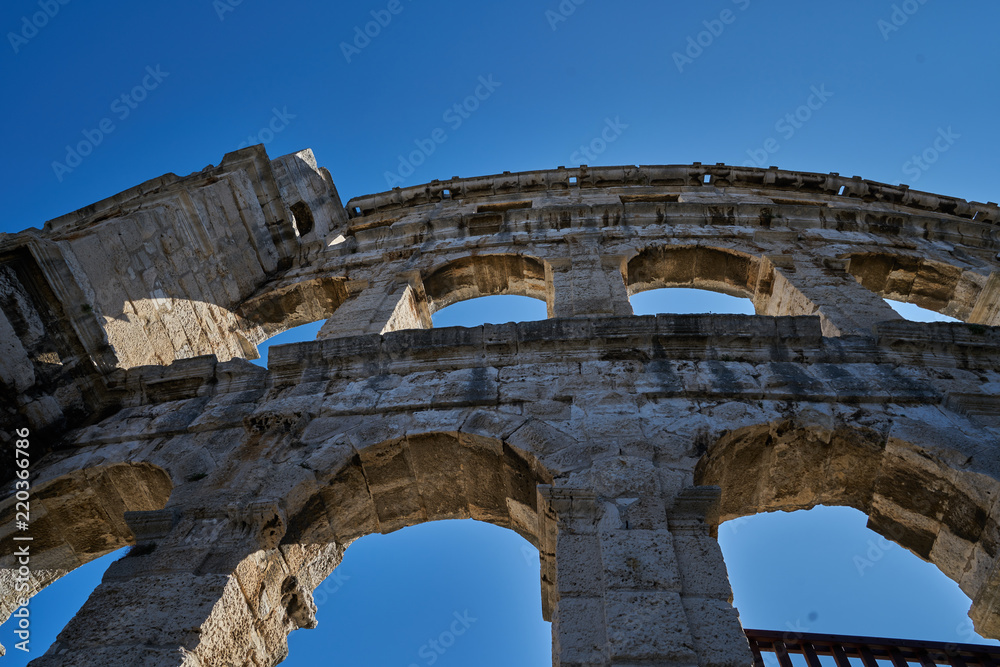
x: 914, y: 494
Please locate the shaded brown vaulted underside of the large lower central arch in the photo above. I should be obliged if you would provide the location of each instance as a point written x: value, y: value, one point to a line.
x: 418, y: 478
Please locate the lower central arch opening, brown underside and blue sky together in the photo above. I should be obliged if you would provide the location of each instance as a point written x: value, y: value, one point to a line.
x: 422, y: 478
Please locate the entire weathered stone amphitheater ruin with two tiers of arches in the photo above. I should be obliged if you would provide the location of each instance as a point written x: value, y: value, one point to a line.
x: 614, y: 443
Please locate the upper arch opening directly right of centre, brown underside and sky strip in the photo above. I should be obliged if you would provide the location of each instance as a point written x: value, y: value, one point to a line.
x: 730, y: 273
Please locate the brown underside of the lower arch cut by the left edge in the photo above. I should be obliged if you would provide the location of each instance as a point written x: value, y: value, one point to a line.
x: 76, y: 518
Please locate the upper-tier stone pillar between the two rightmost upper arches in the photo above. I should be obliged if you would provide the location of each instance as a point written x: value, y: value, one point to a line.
x: 804, y: 287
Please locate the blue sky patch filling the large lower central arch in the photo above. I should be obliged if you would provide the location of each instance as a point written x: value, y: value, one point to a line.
x: 448, y: 592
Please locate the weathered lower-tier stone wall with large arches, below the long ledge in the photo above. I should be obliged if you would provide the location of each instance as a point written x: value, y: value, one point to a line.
x: 341, y: 434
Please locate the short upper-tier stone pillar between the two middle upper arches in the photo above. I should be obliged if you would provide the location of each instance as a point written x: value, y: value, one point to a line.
x: 586, y: 282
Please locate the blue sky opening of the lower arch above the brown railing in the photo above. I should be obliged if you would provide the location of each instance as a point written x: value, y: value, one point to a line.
x: 822, y: 571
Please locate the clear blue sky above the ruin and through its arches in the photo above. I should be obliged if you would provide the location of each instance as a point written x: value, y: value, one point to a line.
x: 216, y: 78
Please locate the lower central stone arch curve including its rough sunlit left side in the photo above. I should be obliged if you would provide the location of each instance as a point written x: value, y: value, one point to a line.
x: 396, y: 483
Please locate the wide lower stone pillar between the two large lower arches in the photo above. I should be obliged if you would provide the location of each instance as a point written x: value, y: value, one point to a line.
x: 632, y: 589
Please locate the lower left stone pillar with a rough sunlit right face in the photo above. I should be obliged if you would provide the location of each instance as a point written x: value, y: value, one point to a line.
x: 202, y: 587
